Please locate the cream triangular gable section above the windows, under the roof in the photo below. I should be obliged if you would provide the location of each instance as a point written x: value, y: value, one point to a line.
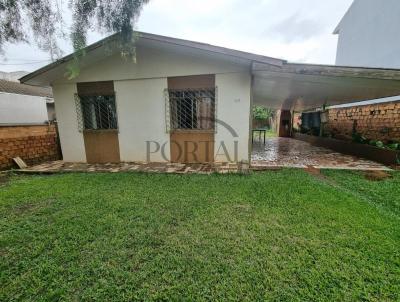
x: 155, y: 63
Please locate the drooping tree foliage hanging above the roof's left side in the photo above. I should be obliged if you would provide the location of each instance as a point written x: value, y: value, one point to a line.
x: 45, y: 19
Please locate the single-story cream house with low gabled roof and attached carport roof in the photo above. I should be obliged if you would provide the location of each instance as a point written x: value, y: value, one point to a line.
x: 185, y: 101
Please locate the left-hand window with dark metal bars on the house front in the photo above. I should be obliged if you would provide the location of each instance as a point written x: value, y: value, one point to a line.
x: 96, y: 112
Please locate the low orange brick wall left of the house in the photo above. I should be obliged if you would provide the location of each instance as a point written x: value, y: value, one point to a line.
x: 34, y: 144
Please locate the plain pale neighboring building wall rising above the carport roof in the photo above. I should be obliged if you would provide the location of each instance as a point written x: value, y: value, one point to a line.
x: 369, y: 35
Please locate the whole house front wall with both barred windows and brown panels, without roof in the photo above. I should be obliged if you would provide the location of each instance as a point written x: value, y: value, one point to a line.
x: 124, y: 110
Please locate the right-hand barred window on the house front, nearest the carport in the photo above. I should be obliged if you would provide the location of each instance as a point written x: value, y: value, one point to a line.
x: 191, y: 109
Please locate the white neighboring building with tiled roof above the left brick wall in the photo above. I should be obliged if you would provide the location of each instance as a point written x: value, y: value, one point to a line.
x: 24, y: 104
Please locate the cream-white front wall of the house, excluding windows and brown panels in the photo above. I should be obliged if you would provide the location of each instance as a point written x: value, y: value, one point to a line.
x: 140, y: 103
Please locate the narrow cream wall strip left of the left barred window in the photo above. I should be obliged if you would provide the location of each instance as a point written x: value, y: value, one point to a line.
x: 71, y: 139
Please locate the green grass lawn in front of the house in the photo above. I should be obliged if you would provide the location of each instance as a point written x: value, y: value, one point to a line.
x: 279, y: 235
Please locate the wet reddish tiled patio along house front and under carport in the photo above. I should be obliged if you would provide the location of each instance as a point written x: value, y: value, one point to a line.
x: 276, y: 153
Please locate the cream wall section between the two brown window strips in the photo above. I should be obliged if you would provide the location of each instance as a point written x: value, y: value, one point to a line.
x: 141, y: 119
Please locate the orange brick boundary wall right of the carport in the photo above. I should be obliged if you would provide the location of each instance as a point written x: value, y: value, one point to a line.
x: 379, y: 121
